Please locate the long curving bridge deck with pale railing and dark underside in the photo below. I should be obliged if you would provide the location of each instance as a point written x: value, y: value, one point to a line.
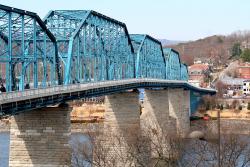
x: 15, y: 102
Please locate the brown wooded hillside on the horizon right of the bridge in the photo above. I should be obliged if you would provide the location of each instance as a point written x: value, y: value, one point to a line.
x: 215, y: 49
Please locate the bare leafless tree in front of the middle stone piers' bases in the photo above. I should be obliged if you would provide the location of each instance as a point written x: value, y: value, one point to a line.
x: 149, y: 148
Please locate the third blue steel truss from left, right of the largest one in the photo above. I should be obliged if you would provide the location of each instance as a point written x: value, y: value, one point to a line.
x: 150, y: 62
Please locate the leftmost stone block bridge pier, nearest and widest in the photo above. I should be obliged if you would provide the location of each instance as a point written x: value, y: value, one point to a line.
x: 40, y: 138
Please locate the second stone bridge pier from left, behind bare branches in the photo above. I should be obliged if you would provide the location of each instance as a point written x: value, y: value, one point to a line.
x: 121, y: 126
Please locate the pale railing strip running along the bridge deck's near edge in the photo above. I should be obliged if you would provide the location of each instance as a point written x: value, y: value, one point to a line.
x: 42, y: 92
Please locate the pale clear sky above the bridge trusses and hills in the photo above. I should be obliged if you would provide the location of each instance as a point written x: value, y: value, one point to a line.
x: 168, y: 19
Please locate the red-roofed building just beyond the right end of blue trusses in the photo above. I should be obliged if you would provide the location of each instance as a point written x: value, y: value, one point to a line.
x: 198, y: 74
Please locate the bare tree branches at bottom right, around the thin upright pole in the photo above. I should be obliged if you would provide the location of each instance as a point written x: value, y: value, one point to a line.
x: 234, y: 151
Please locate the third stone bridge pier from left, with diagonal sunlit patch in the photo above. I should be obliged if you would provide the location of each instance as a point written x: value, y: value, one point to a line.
x: 156, y: 123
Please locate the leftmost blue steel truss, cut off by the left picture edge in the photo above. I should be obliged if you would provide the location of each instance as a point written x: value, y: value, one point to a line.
x: 28, y: 51
